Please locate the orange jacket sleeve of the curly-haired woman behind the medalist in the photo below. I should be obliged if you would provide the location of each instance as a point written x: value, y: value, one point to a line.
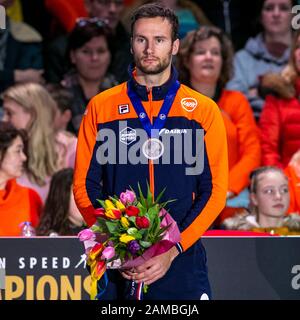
x: 249, y: 146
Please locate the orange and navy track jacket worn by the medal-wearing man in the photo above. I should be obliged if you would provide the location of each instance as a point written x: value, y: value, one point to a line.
x: 110, y: 123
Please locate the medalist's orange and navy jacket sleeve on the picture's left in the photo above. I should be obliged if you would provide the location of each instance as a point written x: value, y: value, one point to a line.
x: 88, y: 173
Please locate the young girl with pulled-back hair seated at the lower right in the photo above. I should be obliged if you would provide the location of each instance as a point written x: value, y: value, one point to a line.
x: 270, y: 198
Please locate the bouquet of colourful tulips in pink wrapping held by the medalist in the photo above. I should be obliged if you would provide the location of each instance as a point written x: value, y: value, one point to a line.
x: 128, y: 231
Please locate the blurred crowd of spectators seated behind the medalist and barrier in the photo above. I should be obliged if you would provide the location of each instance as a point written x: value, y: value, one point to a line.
x: 55, y: 55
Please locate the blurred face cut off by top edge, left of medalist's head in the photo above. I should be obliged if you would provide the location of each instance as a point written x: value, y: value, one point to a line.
x: 109, y: 10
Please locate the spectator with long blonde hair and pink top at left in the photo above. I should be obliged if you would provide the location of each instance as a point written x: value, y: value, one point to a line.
x: 31, y: 107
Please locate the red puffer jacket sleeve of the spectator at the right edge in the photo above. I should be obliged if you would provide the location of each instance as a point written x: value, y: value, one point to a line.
x: 270, y: 133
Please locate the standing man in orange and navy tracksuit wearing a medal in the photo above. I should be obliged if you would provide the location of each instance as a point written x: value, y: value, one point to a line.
x: 153, y: 102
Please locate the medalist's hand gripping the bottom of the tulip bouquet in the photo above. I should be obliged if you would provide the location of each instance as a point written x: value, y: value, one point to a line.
x: 153, y: 269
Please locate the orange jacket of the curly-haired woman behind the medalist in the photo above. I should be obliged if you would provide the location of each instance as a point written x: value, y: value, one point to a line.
x: 242, y: 137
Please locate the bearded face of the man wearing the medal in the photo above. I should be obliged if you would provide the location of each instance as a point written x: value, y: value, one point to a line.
x: 152, y: 45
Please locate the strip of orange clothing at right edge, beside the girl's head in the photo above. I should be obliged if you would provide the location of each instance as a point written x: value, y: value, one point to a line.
x: 294, y: 187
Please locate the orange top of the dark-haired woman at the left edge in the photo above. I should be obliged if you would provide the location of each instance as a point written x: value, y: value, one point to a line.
x: 18, y: 204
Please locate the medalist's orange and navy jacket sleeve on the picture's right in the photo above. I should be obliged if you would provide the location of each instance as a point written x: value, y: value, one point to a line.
x: 212, y: 182
